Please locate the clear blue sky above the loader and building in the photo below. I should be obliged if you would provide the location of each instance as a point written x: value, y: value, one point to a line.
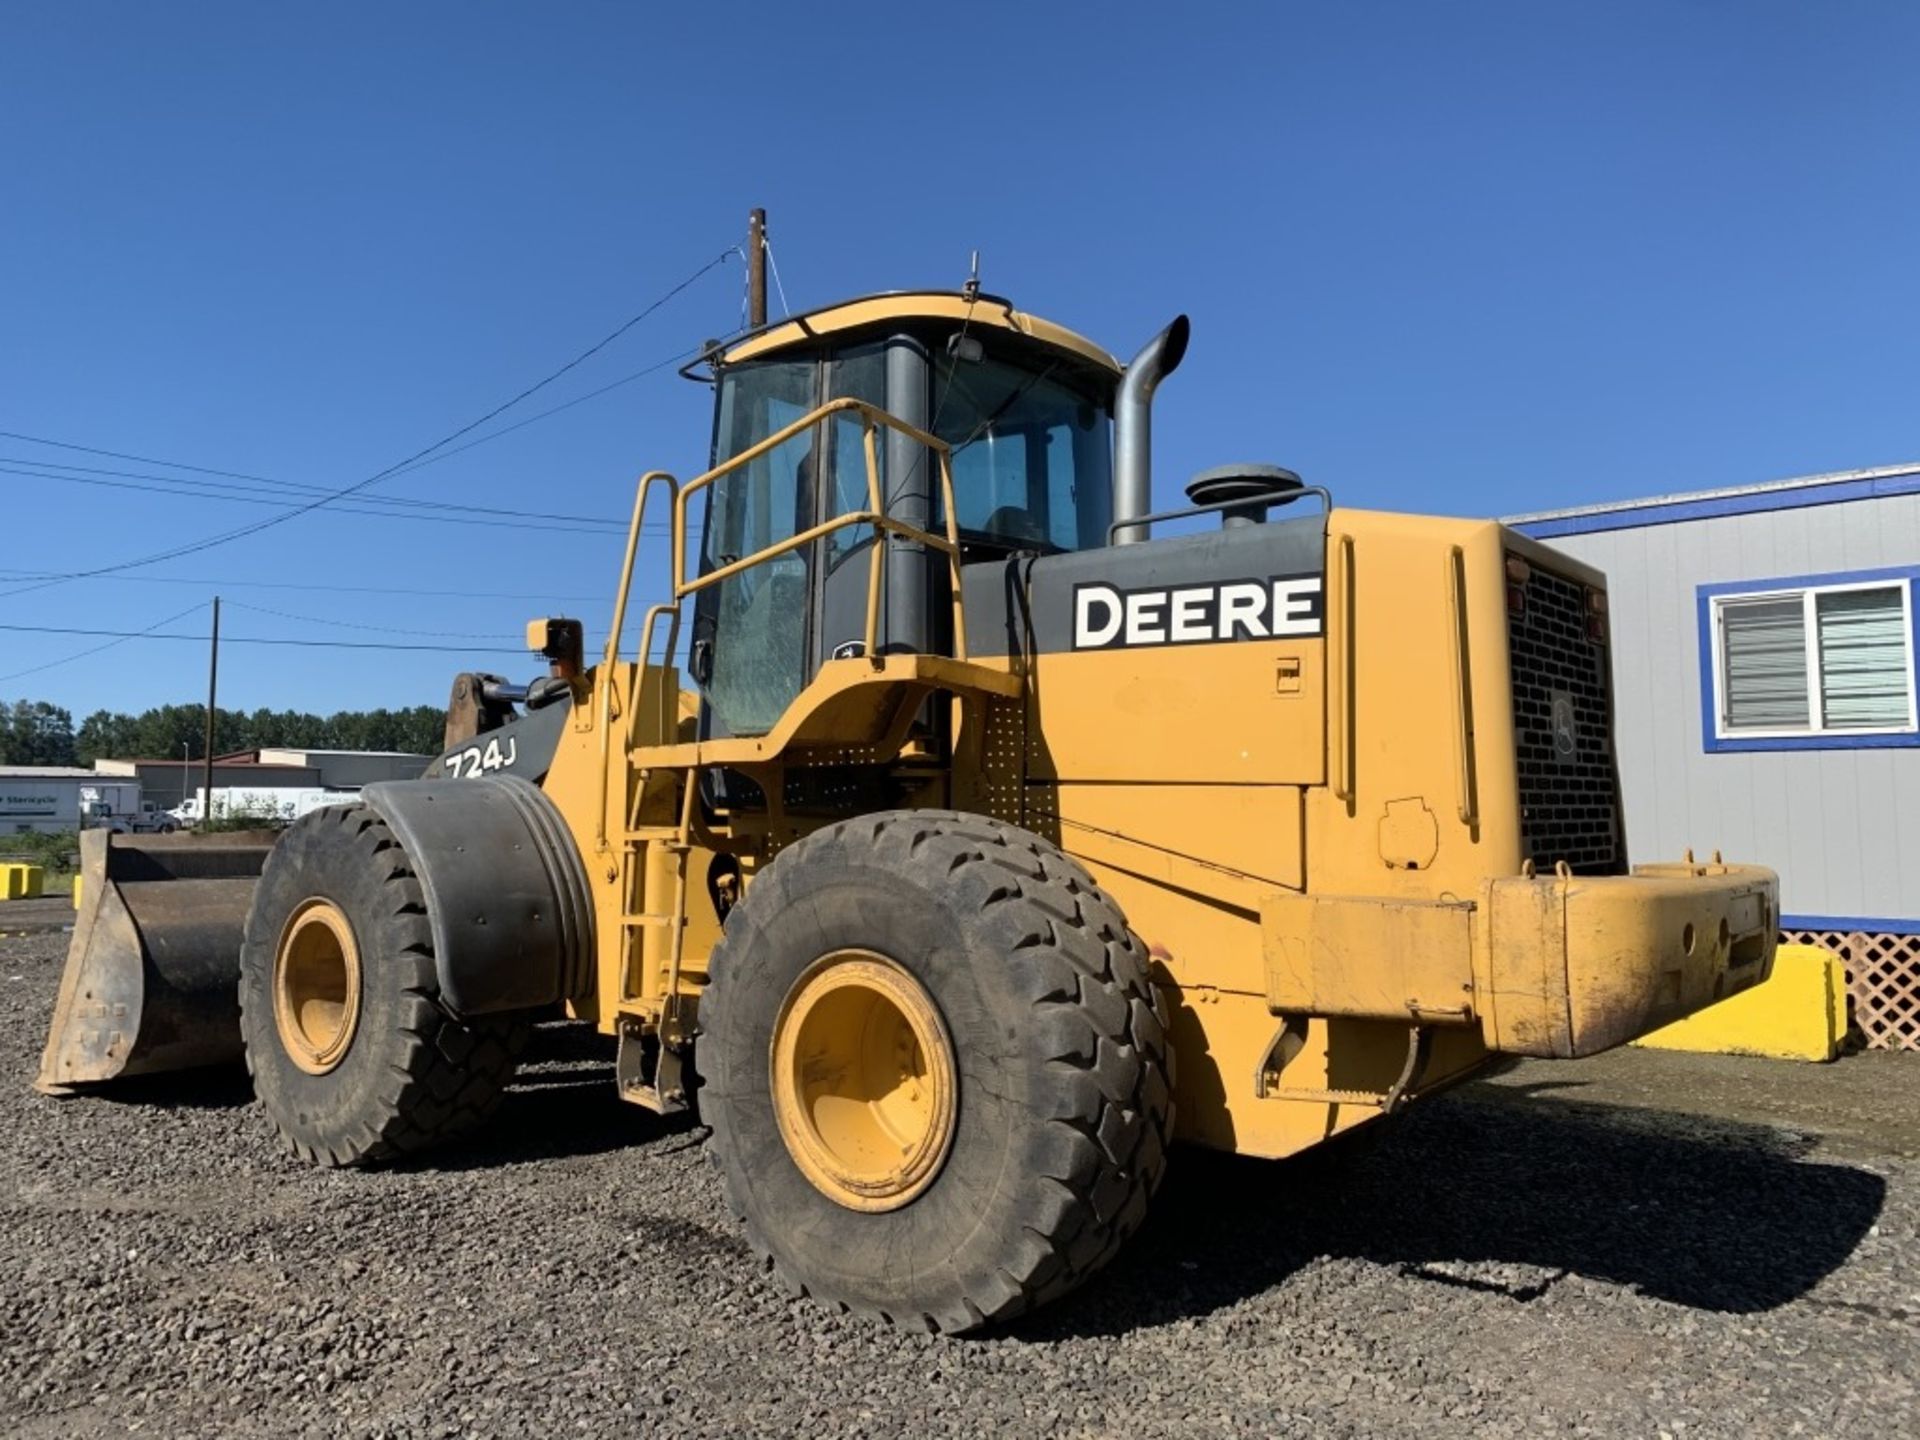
x: 1476, y: 258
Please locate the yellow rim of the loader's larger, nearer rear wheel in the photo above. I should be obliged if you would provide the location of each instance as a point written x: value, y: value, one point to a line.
x: 863, y: 1082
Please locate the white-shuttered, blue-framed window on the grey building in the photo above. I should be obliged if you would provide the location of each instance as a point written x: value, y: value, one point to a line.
x: 1825, y: 661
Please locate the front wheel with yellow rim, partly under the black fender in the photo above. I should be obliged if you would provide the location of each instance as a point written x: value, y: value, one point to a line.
x: 347, y: 1040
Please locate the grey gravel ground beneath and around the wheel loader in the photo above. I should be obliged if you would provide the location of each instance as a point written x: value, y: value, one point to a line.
x: 1641, y: 1245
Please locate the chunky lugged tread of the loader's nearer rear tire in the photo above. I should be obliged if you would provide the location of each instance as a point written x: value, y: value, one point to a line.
x: 1086, y: 976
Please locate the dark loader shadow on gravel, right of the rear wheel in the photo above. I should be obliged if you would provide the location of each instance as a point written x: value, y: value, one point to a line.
x: 1698, y: 1212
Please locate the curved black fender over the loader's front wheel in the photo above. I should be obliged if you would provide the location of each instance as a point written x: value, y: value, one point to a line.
x: 506, y: 892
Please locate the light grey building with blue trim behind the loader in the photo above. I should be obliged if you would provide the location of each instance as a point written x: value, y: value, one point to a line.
x: 1746, y: 731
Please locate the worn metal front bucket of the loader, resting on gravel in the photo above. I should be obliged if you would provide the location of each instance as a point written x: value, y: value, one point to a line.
x: 155, y: 969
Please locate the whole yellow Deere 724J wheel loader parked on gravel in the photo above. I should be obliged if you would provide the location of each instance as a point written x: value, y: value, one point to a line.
x: 1003, y: 838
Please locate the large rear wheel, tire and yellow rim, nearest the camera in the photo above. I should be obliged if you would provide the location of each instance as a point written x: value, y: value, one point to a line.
x: 934, y: 1068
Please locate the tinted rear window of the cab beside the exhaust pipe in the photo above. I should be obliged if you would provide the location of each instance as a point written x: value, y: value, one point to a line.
x: 1032, y: 456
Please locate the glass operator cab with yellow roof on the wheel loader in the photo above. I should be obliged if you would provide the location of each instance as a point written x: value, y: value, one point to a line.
x: 1026, y: 410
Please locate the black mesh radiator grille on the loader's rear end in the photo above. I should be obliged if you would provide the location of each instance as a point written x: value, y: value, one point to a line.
x: 1570, y: 792
